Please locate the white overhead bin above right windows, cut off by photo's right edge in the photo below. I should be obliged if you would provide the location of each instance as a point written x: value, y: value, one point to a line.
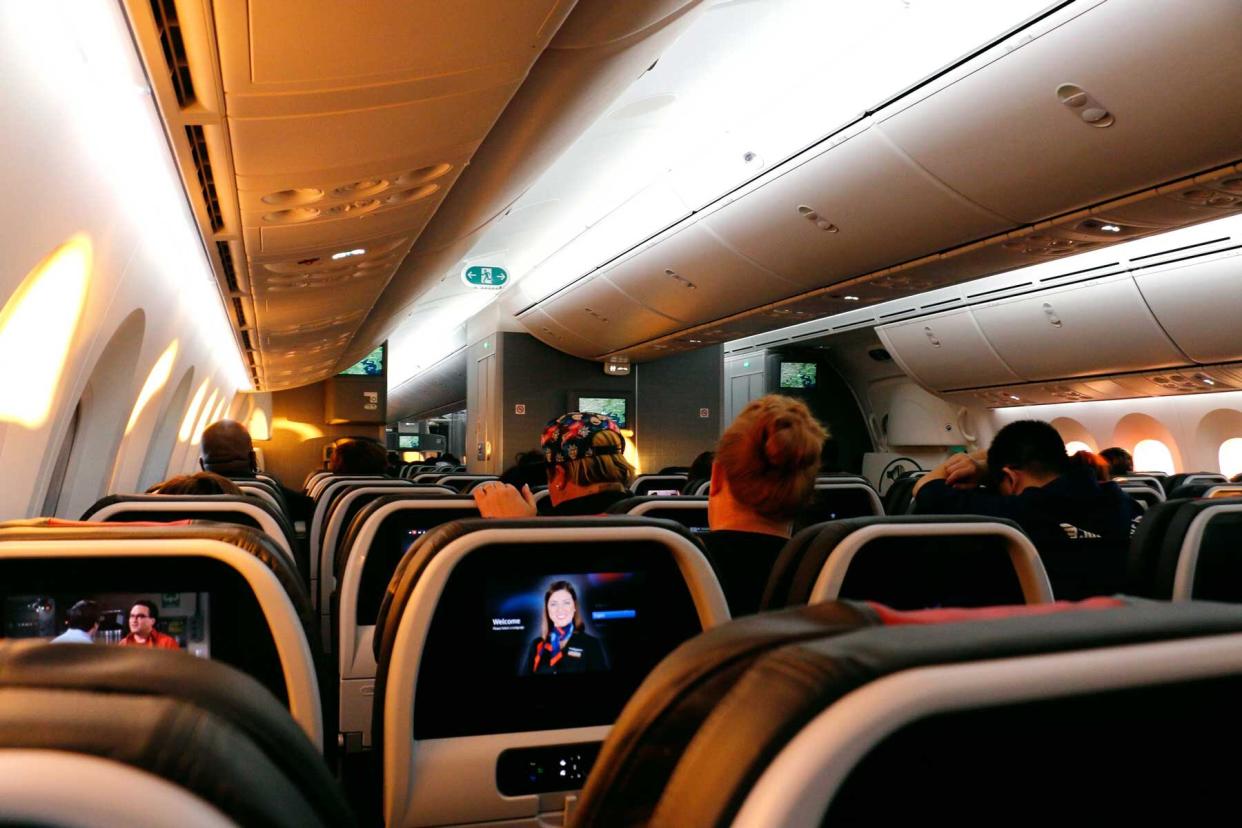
x: 1200, y: 305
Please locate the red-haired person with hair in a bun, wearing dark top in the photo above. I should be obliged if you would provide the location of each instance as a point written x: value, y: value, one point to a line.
x: 763, y: 475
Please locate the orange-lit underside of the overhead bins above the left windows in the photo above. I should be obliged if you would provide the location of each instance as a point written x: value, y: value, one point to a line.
x: 346, y: 131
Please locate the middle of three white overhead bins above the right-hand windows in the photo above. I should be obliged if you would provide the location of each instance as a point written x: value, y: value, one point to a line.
x: 1102, y: 327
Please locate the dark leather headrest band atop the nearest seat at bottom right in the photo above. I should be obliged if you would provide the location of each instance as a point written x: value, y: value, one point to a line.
x: 788, y: 687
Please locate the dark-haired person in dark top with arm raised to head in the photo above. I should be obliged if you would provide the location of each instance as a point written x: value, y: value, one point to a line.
x: 1055, y: 498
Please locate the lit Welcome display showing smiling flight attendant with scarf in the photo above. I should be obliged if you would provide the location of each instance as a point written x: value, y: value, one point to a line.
x: 555, y: 625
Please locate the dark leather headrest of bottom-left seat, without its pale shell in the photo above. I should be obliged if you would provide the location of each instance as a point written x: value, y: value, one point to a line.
x: 194, y: 722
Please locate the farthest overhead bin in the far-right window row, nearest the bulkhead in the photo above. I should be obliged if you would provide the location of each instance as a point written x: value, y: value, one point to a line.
x: 946, y: 352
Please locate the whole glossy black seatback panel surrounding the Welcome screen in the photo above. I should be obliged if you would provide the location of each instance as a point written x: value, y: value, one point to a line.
x: 548, y: 637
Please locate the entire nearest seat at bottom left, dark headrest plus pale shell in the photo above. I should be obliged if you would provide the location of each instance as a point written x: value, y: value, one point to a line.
x: 168, y: 729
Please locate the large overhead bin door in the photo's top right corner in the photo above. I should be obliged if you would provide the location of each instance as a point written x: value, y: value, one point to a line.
x: 1019, y: 116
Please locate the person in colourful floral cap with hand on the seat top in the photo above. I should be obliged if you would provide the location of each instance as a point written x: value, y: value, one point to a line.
x: 587, y: 471
